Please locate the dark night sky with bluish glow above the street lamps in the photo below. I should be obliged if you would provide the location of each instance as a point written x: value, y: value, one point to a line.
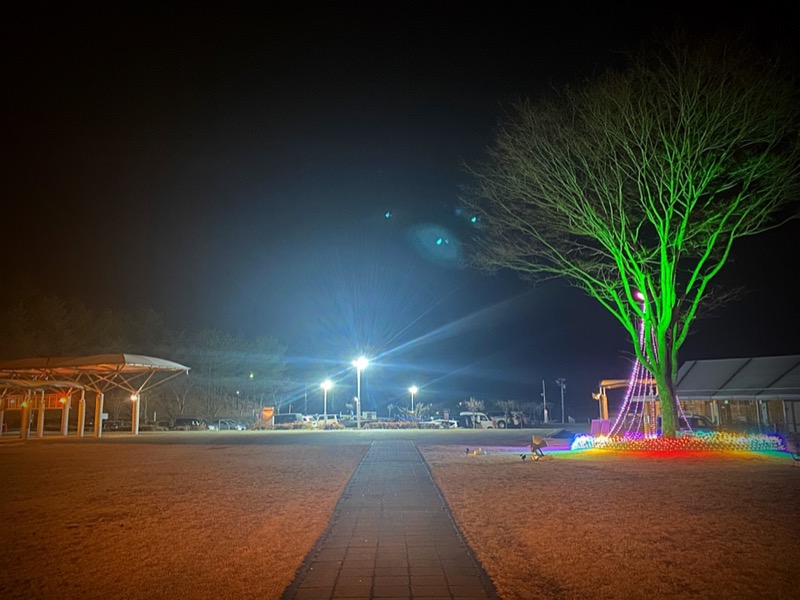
x: 232, y: 168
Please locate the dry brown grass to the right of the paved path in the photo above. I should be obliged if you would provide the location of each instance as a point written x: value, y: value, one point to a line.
x: 601, y: 525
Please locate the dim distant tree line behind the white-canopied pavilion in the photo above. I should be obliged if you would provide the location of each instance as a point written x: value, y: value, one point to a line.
x: 230, y: 373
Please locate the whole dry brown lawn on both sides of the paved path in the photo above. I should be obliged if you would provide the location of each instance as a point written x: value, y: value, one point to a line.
x: 108, y: 520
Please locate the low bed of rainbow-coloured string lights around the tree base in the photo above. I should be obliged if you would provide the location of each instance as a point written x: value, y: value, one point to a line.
x: 692, y: 442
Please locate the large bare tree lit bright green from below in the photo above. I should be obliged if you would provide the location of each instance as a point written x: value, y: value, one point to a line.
x: 634, y: 186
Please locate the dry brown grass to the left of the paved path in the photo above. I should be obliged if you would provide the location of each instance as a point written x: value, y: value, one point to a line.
x: 162, y: 521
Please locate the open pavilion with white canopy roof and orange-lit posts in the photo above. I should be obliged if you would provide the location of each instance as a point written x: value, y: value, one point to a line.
x: 36, y: 384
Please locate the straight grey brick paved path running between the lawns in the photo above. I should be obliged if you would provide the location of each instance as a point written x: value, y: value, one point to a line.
x: 391, y: 536
